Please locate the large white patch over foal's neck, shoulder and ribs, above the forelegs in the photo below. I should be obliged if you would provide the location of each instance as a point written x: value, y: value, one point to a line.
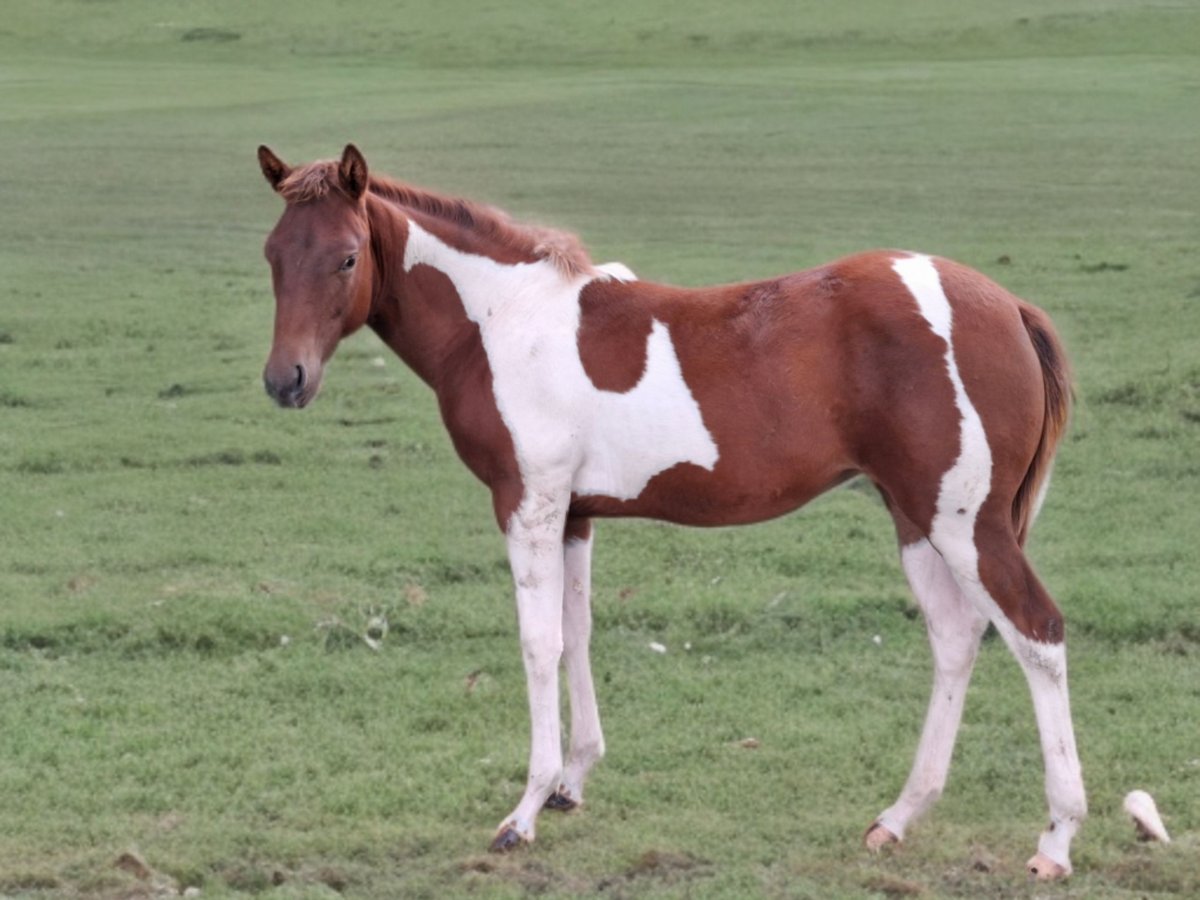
x: 563, y: 427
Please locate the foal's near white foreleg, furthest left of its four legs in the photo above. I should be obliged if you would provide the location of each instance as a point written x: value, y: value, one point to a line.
x: 536, y: 554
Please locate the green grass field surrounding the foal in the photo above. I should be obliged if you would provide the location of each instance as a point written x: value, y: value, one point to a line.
x: 187, y: 573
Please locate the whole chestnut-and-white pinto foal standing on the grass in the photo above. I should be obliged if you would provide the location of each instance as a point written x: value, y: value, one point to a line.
x: 577, y: 392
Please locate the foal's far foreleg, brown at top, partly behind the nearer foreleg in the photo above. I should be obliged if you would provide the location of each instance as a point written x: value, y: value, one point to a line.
x: 587, y: 740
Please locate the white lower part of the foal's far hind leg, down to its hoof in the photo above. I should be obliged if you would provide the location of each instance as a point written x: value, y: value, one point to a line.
x: 955, y: 629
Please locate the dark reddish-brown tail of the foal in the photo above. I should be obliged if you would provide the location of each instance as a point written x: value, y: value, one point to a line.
x: 1059, y: 395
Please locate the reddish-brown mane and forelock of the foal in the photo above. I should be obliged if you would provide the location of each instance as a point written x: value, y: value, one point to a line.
x: 562, y: 250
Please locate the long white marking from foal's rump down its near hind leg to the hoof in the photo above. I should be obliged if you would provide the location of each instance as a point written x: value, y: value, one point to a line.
x: 962, y: 494
